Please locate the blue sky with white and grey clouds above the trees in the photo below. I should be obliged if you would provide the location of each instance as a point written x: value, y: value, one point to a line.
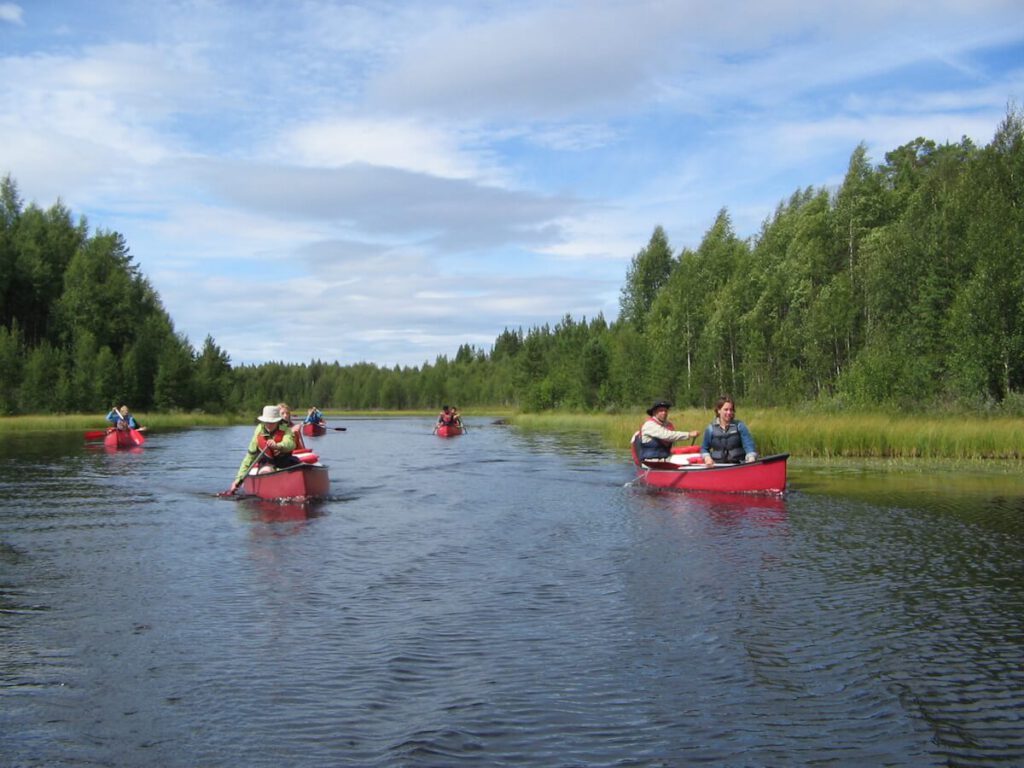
x: 383, y: 182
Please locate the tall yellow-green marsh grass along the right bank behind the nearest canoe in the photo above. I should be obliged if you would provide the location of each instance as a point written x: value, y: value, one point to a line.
x: 826, y: 437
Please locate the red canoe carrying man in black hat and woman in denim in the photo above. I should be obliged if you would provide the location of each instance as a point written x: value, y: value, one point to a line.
x: 766, y: 476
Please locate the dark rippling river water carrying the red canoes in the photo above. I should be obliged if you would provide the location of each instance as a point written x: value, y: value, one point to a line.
x: 499, y: 600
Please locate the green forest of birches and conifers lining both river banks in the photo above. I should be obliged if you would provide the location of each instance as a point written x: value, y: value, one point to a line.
x: 902, y: 289
